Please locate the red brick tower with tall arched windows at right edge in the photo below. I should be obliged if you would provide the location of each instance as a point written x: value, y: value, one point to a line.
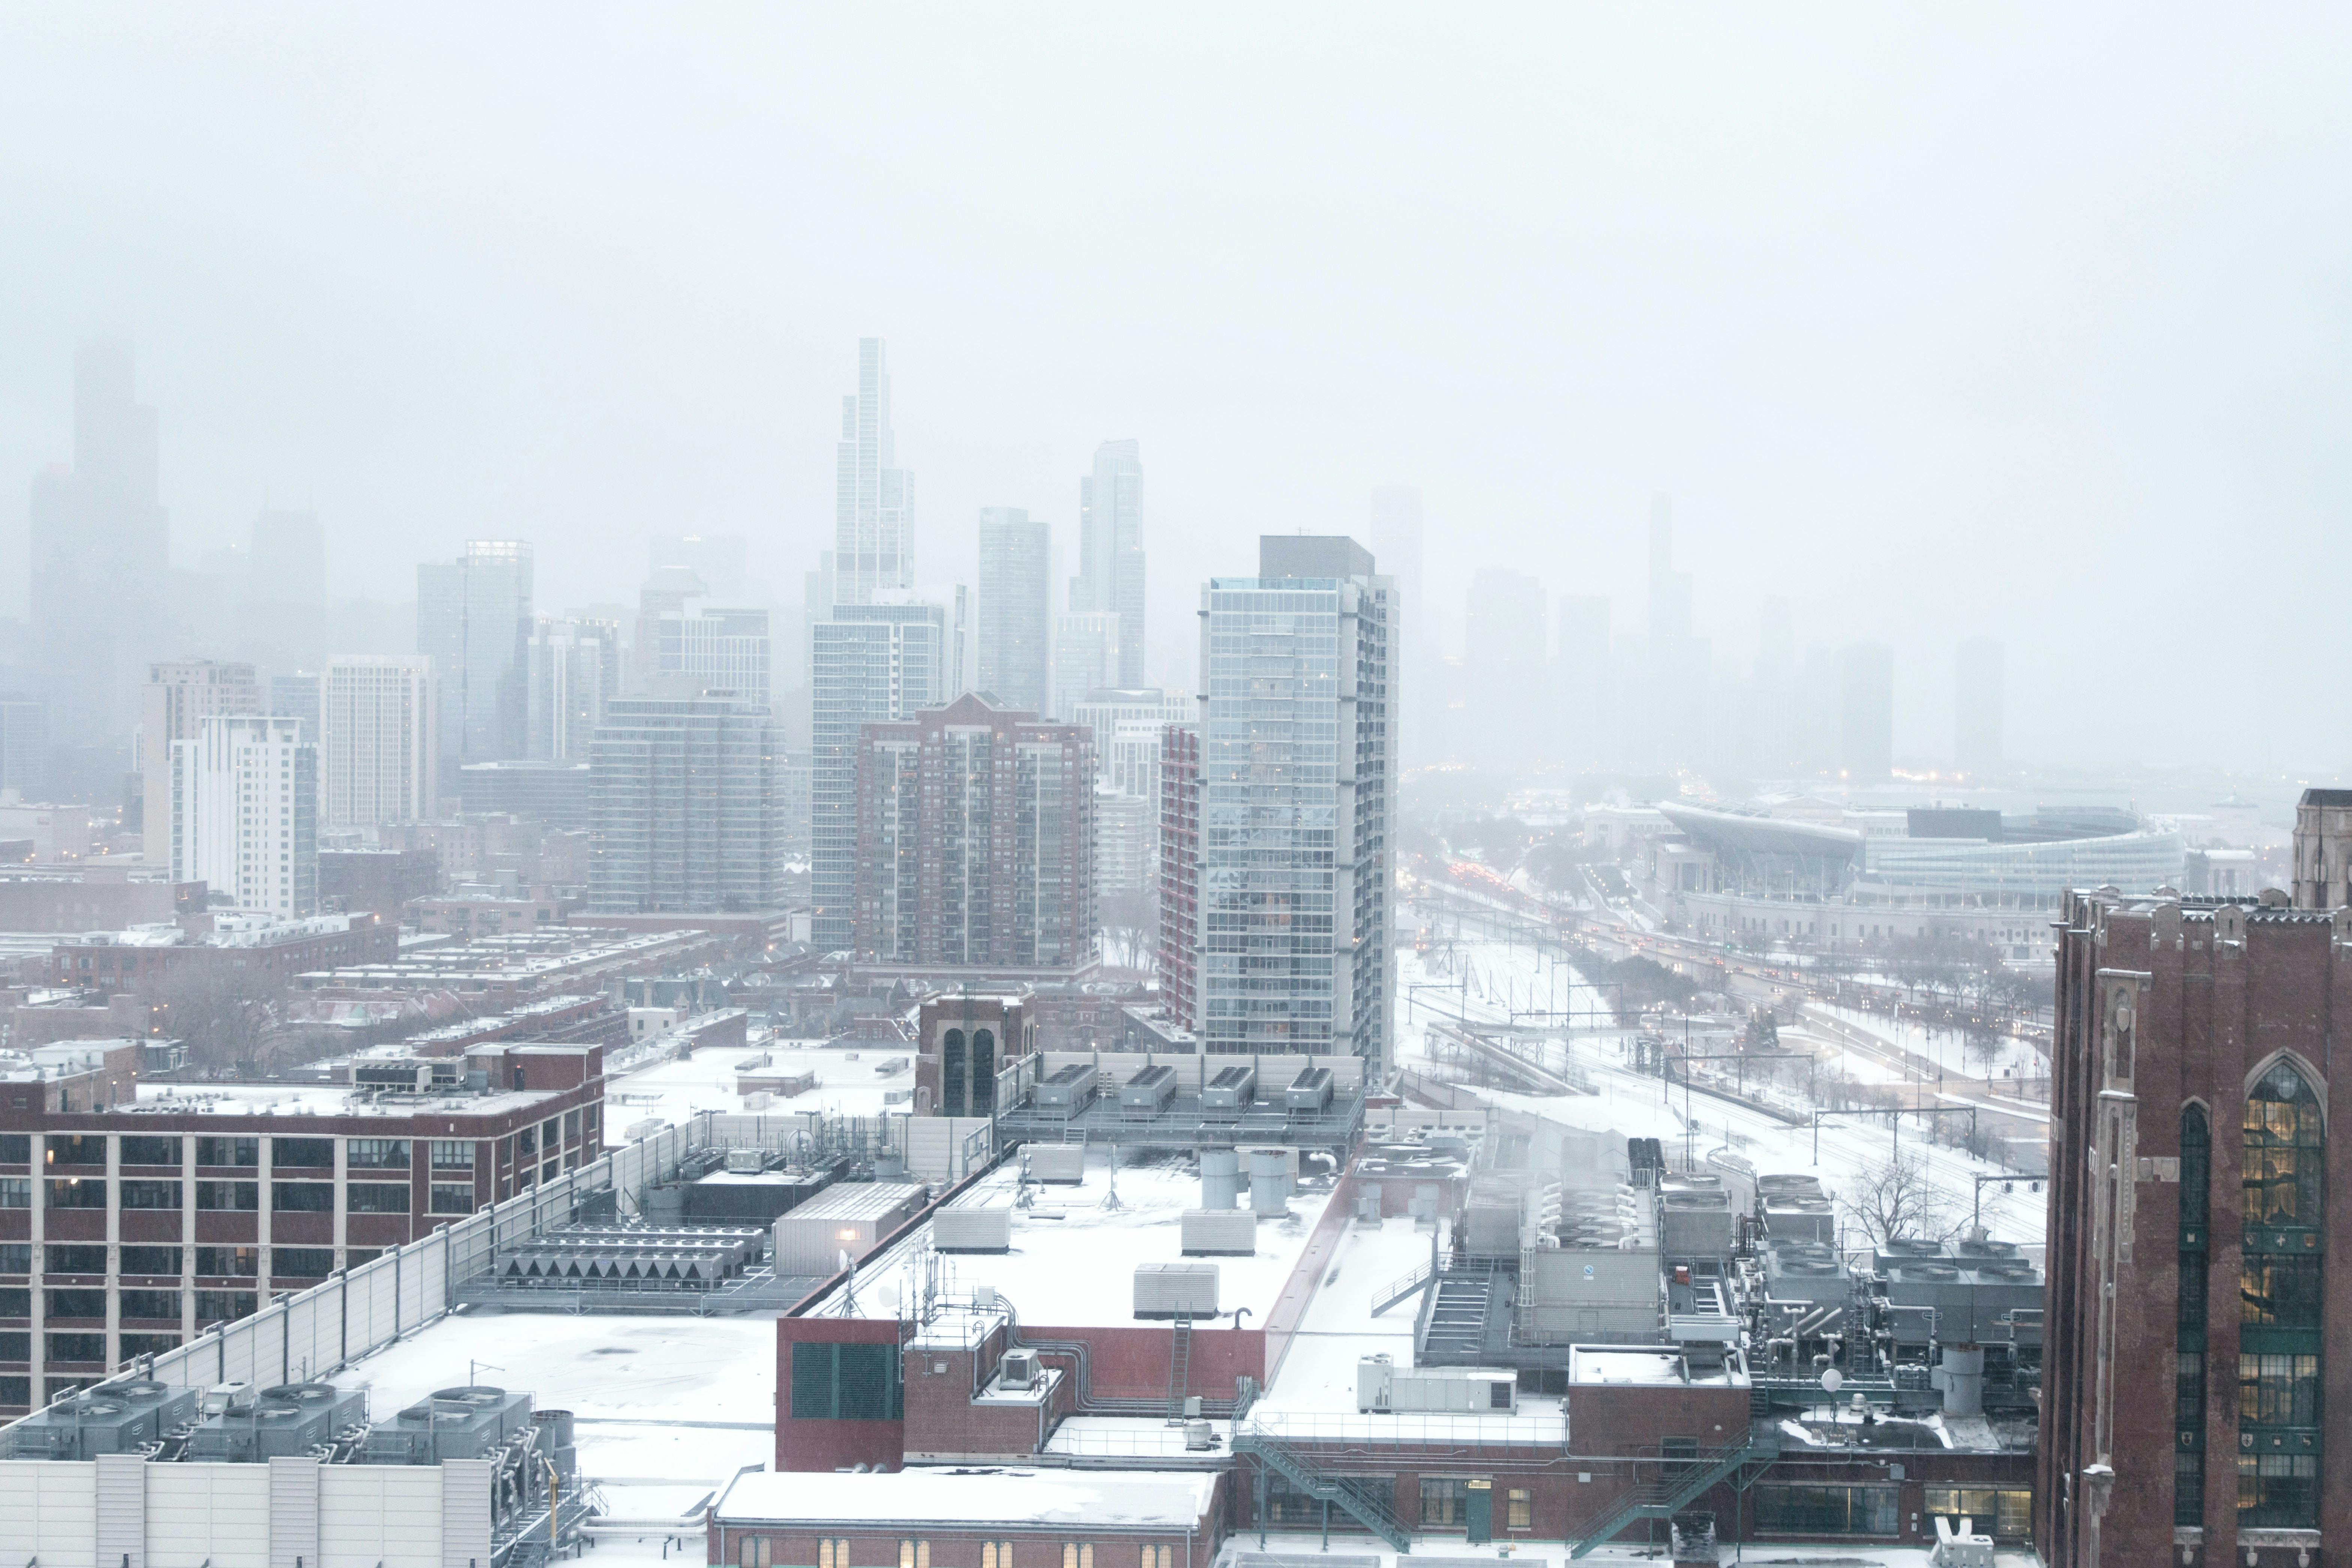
x: 2196, y: 1254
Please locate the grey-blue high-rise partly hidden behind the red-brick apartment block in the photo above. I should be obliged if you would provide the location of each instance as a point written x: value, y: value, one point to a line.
x: 869, y: 664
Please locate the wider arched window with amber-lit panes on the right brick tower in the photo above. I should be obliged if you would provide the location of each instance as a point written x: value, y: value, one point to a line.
x: 2280, y: 1301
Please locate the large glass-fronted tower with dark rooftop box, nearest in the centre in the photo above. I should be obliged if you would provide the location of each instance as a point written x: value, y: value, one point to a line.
x: 1297, y: 786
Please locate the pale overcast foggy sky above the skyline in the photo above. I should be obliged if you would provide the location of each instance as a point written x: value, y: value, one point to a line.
x: 2017, y: 321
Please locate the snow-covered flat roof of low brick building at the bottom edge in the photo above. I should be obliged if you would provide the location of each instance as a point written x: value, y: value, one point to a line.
x: 1097, y: 1499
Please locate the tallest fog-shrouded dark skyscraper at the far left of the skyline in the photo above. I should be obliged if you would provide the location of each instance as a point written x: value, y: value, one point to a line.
x: 100, y: 558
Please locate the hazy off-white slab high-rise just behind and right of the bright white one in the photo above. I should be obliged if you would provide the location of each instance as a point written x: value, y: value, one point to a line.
x: 380, y: 739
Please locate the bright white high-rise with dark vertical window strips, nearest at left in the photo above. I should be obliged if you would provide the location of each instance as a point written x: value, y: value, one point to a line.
x: 246, y: 815
